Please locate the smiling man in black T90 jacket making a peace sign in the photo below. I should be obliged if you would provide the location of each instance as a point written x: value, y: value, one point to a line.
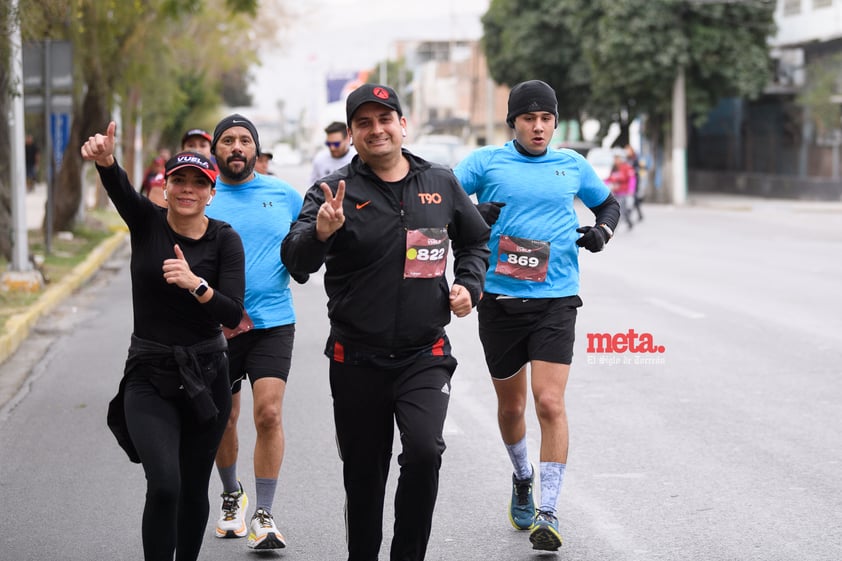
x: 383, y: 227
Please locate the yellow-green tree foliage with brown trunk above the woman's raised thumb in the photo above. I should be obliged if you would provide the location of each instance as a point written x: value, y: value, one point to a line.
x: 162, y: 60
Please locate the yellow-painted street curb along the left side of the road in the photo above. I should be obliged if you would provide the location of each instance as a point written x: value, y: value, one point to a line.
x: 19, y: 325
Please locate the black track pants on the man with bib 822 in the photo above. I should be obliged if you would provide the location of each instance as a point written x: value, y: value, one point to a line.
x: 367, y: 402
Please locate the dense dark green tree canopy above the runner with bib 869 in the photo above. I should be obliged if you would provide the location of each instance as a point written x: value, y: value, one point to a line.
x: 632, y: 51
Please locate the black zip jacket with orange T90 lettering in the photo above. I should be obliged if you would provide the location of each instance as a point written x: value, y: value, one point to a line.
x: 371, y: 304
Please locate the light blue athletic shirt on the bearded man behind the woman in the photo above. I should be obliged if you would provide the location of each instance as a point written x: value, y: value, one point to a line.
x: 261, y: 211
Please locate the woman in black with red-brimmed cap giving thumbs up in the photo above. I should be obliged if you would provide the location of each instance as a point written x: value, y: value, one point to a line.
x: 188, y: 277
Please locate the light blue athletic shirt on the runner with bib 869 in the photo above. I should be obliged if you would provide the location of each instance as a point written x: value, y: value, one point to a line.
x: 538, y: 192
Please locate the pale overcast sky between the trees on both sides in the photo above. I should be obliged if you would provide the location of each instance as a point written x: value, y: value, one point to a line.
x: 349, y: 35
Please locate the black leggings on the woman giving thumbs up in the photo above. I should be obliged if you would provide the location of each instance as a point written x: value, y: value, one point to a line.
x: 177, y: 456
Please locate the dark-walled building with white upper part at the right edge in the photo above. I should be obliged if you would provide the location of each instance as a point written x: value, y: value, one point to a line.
x: 787, y: 142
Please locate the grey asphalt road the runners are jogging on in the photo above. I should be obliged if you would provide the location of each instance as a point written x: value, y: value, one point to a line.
x: 725, y: 446
